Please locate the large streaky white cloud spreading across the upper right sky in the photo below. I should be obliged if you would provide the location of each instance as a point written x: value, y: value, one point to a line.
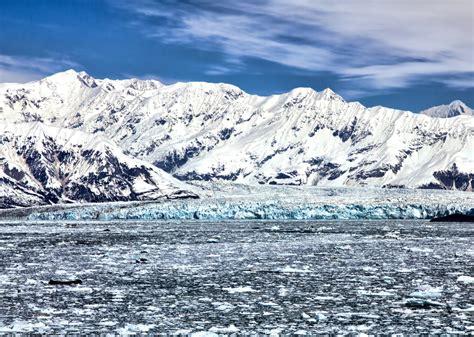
x: 380, y: 44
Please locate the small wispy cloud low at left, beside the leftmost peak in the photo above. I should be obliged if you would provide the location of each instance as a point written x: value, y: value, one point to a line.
x: 20, y: 69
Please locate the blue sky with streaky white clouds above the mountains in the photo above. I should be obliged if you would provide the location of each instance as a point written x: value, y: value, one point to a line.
x: 403, y: 54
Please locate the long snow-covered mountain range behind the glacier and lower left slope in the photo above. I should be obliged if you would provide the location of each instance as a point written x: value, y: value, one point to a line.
x: 216, y: 131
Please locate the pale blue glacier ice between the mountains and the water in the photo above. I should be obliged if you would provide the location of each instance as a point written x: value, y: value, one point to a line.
x: 231, y: 201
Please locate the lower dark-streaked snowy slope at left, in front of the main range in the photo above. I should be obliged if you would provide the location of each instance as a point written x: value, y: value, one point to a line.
x: 41, y: 164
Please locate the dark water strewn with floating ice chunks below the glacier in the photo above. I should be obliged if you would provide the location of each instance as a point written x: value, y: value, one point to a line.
x: 264, y: 277
